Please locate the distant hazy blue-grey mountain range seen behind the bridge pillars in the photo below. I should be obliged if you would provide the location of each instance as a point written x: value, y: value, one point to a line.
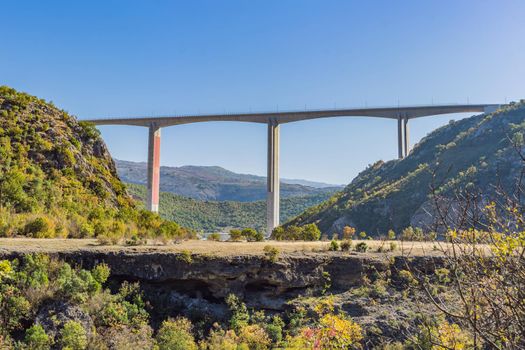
x: 216, y: 183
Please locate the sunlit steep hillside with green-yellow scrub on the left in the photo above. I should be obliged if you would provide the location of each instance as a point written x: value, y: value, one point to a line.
x: 57, y: 178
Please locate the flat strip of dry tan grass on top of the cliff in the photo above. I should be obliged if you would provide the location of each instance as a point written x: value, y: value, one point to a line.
x: 210, y: 247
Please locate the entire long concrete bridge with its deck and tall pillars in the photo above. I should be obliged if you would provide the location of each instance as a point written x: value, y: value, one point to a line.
x: 273, y: 119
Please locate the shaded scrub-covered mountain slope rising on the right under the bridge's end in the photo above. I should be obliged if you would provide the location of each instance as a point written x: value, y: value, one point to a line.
x: 475, y: 152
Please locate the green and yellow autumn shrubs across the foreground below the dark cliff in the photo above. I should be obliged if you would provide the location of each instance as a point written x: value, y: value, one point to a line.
x: 47, y: 303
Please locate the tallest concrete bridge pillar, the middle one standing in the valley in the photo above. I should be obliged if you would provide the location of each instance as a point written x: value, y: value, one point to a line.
x: 272, y: 202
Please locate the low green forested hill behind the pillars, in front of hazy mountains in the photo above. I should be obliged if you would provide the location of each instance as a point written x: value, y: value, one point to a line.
x: 215, y: 216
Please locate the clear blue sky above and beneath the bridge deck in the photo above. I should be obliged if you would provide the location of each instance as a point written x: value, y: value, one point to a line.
x: 127, y: 58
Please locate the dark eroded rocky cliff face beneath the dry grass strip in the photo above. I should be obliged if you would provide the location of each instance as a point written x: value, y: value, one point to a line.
x: 175, y: 284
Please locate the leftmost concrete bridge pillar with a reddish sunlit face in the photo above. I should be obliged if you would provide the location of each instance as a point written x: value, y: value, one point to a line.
x: 153, y: 168
